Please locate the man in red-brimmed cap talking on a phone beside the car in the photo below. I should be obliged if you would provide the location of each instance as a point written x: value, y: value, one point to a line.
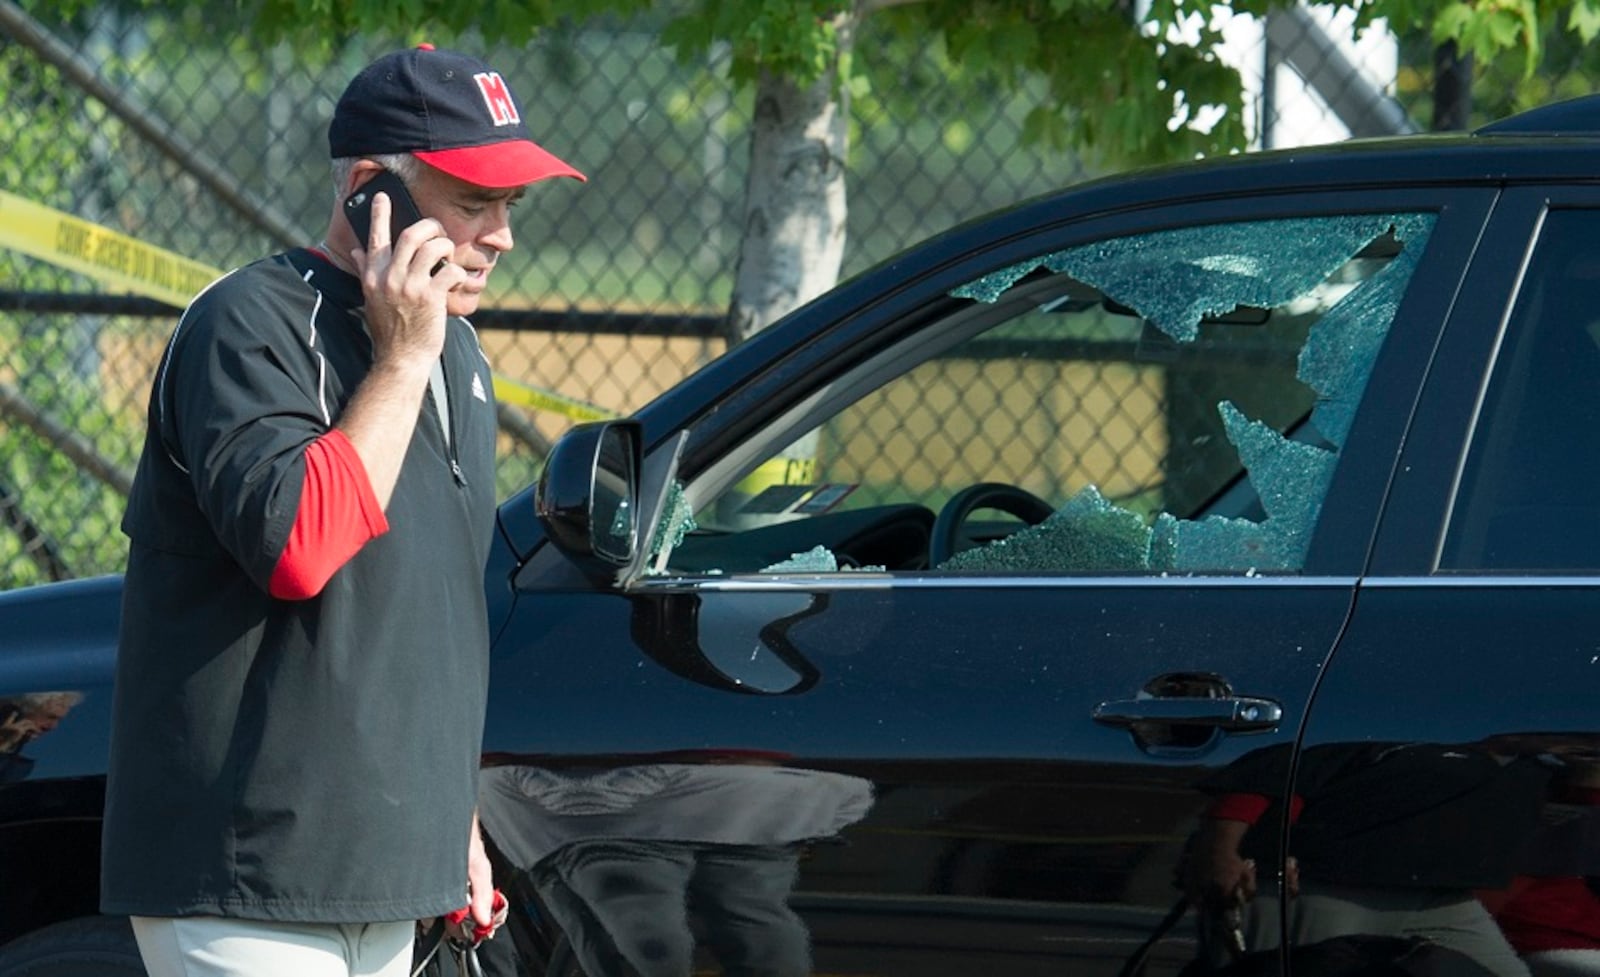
x: 305, y: 642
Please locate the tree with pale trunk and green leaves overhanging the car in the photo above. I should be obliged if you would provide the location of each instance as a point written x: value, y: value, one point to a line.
x: 1132, y: 81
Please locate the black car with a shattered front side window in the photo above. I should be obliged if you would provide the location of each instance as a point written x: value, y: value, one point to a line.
x: 1193, y: 570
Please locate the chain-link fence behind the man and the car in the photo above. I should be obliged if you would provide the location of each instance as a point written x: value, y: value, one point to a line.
x: 617, y: 290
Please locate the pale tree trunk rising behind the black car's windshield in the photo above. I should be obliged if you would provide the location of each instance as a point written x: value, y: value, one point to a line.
x: 794, y: 204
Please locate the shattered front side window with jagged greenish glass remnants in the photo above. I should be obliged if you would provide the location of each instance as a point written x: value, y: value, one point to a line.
x: 1170, y: 402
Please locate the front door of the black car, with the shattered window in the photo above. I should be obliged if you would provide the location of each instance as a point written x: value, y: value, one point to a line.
x: 962, y: 604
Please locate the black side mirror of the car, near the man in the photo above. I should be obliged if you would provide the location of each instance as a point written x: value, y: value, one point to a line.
x: 588, y: 496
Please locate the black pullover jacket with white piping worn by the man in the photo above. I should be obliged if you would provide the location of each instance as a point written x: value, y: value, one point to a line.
x: 295, y: 760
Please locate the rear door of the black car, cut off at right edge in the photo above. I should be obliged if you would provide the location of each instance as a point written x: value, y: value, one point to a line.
x: 1462, y: 700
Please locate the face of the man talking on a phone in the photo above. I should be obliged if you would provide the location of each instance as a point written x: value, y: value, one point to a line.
x: 478, y: 221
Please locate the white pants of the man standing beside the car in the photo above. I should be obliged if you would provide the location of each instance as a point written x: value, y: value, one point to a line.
x: 215, y: 947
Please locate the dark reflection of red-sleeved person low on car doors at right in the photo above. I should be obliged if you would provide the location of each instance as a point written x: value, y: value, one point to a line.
x: 1385, y: 840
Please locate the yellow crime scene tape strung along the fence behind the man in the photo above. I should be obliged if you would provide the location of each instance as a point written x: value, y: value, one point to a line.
x: 130, y: 266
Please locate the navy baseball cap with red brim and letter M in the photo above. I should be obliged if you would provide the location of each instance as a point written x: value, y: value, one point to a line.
x: 449, y: 110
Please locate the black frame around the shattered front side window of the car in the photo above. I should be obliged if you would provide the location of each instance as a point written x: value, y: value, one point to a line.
x: 825, y: 338
